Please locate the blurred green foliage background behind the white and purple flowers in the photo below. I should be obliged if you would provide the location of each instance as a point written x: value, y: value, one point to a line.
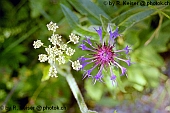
x: 146, y: 29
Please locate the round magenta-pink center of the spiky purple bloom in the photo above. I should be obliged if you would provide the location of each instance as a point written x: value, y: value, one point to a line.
x: 105, y: 55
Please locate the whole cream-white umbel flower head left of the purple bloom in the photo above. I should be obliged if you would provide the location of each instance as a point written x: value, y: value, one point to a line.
x: 58, y: 51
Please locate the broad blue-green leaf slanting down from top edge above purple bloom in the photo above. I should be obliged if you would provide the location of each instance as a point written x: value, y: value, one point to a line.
x: 86, y: 7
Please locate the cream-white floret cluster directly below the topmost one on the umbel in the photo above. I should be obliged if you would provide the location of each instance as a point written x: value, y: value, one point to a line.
x: 55, y: 39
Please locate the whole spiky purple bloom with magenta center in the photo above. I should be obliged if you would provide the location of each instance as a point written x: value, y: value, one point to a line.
x: 103, y: 56
